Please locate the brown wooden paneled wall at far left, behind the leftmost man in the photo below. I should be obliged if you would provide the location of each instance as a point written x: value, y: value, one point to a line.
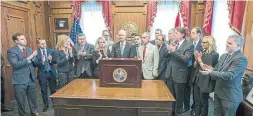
x: 26, y: 17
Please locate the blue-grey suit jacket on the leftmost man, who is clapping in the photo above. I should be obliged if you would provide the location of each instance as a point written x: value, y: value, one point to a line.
x: 21, y: 67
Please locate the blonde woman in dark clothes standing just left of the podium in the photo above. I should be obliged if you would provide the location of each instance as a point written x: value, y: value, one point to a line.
x: 100, y: 52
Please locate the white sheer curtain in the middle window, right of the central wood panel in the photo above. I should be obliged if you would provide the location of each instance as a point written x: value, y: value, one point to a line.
x: 165, y: 17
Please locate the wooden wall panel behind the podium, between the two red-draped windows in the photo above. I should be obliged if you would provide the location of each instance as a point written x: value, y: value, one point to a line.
x: 132, y: 13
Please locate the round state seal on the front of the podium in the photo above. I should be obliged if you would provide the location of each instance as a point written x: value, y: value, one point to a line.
x: 119, y: 75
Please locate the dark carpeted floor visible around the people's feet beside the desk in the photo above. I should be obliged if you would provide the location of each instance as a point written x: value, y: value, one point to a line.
x: 50, y: 111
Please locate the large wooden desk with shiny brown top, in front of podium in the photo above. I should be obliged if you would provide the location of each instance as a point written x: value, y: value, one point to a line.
x: 84, y: 97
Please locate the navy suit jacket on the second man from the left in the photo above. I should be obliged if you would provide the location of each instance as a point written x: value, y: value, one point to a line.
x: 41, y: 66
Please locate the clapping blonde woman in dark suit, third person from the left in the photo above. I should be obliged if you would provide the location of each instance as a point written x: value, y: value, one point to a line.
x: 65, y: 60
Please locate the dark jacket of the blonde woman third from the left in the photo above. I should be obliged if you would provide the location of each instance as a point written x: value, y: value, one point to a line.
x: 64, y: 64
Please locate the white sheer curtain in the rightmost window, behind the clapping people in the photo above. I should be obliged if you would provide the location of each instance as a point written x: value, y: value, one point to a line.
x: 220, y: 26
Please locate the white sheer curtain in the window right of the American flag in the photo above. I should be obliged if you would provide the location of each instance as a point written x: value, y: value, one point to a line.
x: 92, y: 21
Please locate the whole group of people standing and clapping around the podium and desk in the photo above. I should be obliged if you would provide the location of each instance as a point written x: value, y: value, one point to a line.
x: 186, y: 65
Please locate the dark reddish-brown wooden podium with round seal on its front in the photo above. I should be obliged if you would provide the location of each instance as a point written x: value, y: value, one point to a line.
x: 120, y: 72
